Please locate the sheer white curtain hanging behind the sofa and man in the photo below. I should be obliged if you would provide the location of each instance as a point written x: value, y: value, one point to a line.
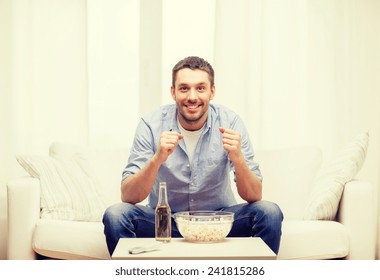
x: 298, y: 72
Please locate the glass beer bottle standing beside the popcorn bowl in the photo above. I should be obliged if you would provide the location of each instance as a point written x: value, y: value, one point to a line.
x: 163, y: 216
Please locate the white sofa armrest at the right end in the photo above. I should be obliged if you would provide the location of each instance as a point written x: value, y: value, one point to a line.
x: 357, y: 211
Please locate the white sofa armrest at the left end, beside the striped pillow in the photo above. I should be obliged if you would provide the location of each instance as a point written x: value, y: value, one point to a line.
x: 23, y: 213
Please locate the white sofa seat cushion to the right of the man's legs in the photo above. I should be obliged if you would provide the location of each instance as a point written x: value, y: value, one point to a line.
x: 313, y: 240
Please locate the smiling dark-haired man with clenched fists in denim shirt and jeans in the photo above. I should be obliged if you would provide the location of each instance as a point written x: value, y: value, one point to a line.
x: 193, y: 146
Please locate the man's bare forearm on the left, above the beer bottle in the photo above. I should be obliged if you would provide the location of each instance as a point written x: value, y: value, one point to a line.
x: 137, y: 187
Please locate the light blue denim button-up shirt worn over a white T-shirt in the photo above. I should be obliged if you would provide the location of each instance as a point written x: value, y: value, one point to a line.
x: 204, y: 185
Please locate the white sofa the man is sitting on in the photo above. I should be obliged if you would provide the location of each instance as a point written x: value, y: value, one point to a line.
x: 288, y: 180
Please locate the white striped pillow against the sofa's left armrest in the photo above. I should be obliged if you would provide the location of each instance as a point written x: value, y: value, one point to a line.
x: 67, y: 191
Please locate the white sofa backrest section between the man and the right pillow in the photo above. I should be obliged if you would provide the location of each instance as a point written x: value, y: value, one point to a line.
x: 287, y: 177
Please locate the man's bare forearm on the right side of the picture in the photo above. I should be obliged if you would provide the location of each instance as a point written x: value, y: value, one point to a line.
x: 248, y: 184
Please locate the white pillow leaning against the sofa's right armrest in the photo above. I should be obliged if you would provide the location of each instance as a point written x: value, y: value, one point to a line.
x: 329, y: 183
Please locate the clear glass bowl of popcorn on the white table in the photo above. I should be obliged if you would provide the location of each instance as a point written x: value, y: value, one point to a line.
x: 204, y: 226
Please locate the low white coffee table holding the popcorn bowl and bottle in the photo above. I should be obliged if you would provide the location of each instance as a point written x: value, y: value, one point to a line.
x: 231, y: 248
